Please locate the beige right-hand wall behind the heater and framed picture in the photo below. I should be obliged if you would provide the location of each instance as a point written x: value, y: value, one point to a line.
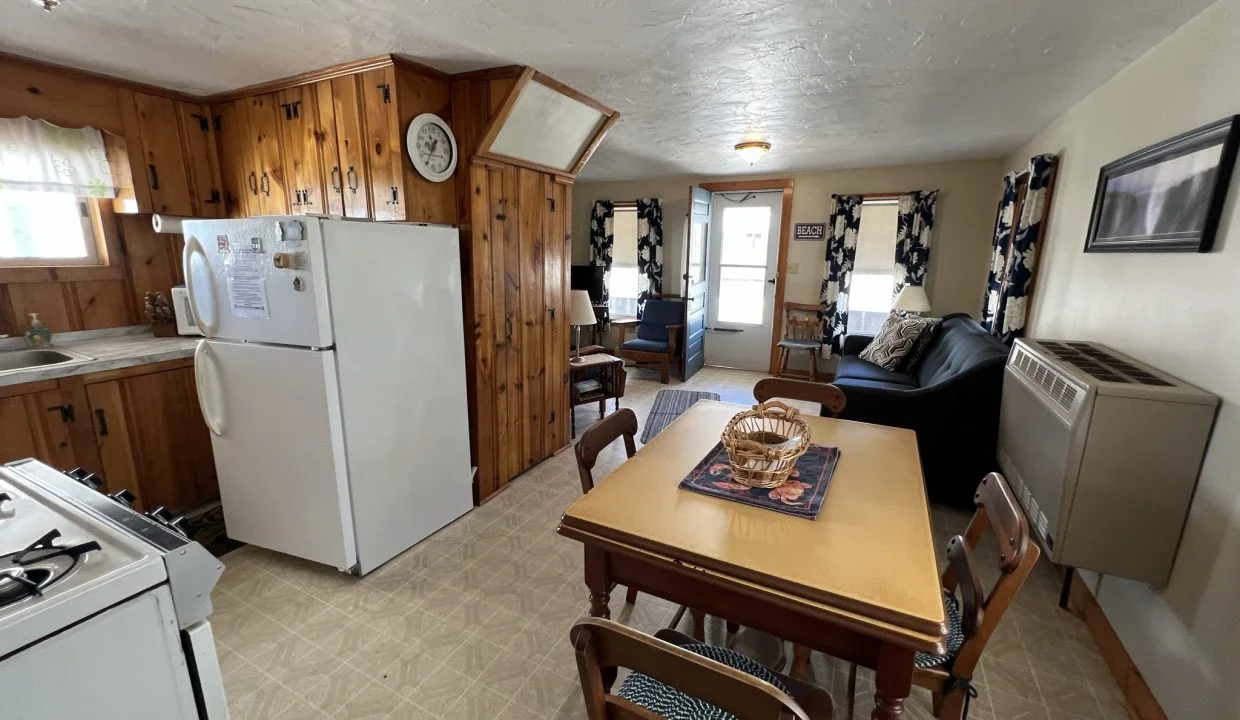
x: 1177, y: 313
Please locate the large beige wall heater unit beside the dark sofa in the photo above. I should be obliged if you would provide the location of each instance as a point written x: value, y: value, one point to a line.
x: 1104, y: 454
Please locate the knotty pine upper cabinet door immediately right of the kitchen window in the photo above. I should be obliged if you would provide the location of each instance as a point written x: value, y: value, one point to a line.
x: 159, y: 128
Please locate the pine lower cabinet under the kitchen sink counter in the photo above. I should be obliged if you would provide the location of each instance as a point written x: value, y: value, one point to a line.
x: 139, y: 429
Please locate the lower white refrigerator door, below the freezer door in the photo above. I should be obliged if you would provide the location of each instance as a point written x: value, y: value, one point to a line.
x: 275, y: 417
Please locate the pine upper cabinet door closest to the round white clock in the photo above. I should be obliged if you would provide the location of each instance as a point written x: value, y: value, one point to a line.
x: 384, y: 144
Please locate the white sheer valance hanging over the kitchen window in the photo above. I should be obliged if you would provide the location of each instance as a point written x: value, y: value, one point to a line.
x: 39, y: 157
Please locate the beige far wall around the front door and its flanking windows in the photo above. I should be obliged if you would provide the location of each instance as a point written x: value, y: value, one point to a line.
x: 960, y: 248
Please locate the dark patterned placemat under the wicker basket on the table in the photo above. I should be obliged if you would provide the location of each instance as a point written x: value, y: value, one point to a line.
x: 800, y: 496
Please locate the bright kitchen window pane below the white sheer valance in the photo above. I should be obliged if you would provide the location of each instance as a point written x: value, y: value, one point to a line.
x: 46, y: 229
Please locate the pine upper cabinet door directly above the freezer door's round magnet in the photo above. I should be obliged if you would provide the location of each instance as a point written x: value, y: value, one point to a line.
x: 301, y: 142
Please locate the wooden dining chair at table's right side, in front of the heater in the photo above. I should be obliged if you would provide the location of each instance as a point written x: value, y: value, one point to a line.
x: 949, y: 677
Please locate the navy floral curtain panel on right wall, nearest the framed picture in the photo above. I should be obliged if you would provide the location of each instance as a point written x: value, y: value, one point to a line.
x: 1022, y: 265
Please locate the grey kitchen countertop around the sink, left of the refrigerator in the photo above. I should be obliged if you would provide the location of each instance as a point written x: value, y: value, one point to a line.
x: 108, y: 350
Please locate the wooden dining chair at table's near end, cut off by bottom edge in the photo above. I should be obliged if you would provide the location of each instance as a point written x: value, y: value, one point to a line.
x: 602, y: 646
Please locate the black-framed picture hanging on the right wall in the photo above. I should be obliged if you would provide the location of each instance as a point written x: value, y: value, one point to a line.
x: 1167, y: 198
